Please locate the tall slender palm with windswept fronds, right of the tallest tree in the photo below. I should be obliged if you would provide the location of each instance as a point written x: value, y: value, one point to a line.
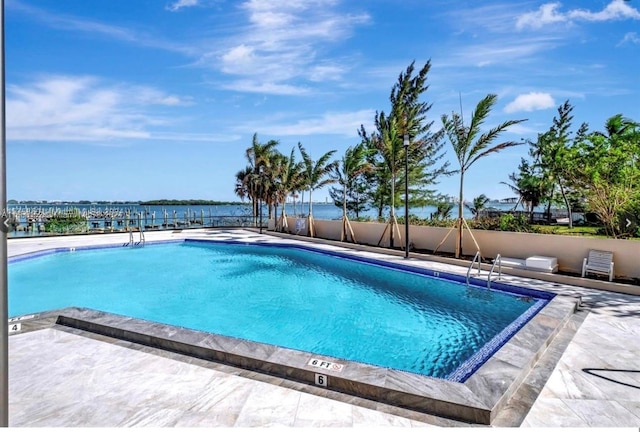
x: 469, y: 145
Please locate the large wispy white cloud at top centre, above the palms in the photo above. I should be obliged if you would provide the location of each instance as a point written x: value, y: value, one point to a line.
x: 282, y: 46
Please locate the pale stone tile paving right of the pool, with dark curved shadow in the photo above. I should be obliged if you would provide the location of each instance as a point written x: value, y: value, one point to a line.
x: 597, y: 381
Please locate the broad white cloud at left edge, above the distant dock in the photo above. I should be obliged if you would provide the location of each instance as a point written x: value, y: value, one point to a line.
x: 71, y: 108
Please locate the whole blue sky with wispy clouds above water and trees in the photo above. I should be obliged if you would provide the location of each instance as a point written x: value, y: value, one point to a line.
x: 146, y: 99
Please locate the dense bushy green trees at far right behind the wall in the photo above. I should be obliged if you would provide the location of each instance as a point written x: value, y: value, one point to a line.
x: 595, y: 171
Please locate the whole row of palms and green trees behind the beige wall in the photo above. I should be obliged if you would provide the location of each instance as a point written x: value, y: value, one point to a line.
x: 599, y: 170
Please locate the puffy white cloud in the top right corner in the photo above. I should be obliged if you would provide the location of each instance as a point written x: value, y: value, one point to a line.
x: 550, y: 13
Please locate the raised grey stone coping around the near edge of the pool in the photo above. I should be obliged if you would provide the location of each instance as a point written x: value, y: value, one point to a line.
x: 477, y: 400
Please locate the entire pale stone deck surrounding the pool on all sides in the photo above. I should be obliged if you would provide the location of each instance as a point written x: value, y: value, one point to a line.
x: 593, y: 382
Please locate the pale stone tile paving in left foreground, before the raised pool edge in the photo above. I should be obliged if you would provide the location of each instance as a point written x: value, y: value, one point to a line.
x: 61, y: 379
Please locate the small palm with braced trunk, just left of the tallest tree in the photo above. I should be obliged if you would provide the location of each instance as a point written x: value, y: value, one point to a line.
x: 344, y: 172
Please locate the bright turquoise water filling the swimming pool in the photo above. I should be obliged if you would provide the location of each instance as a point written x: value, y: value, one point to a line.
x: 282, y: 296
